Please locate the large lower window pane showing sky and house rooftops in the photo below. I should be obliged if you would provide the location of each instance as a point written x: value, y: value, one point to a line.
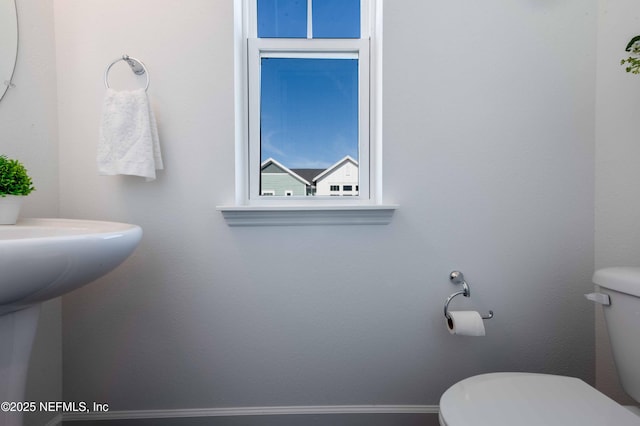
x: 309, y: 123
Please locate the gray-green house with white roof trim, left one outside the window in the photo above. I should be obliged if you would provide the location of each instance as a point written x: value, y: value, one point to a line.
x: 278, y: 180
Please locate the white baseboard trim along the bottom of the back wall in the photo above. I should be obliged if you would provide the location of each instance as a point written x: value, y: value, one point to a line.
x: 252, y: 411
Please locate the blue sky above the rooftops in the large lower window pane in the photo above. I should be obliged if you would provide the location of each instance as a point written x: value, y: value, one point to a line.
x: 309, y: 116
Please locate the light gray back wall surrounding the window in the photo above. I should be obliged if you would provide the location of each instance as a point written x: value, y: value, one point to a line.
x: 488, y: 150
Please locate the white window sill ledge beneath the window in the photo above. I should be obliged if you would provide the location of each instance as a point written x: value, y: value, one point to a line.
x: 307, y: 215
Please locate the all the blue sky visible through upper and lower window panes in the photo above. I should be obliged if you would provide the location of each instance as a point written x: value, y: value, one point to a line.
x: 309, y: 110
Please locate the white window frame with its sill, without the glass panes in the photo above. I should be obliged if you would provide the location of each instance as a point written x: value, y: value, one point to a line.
x: 252, y: 209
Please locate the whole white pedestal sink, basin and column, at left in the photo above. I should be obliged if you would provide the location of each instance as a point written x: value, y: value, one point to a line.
x: 41, y: 259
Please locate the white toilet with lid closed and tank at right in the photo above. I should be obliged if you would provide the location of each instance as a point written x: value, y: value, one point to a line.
x: 528, y: 399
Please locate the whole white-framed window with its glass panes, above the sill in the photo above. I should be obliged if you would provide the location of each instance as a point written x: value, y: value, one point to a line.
x: 310, y: 80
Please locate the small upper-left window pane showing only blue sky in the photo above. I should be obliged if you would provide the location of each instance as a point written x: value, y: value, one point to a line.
x: 282, y: 18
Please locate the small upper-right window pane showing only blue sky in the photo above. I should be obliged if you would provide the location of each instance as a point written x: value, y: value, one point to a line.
x: 336, y: 18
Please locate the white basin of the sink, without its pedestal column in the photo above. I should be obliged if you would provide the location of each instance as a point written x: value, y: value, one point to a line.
x: 41, y: 259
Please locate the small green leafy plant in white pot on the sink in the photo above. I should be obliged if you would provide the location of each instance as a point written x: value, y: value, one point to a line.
x: 15, y: 184
